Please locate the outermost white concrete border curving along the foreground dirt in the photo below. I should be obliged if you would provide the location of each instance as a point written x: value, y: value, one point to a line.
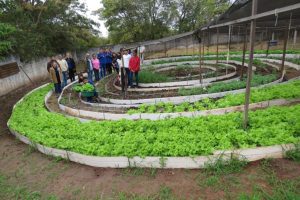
x: 253, y: 154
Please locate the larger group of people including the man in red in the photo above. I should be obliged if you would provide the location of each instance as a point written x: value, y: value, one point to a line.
x: 125, y: 63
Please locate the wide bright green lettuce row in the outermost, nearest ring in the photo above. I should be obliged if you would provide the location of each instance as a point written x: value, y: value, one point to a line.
x: 171, y: 137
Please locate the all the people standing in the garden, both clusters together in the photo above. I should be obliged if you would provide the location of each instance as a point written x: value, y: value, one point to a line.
x: 125, y: 63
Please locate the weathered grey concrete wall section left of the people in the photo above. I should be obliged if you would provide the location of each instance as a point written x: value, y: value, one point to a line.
x: 36, y: 71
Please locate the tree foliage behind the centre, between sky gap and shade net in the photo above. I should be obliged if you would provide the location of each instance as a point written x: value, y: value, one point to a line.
x: 140, y: 20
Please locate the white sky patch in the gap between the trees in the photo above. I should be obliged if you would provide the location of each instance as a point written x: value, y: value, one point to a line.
x: 93, y: 5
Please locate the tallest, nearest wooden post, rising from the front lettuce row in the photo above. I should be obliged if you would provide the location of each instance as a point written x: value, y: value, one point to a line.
x: 249, y: 77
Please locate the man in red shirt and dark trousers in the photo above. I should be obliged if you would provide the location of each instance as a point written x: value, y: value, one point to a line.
x: 134, y: 67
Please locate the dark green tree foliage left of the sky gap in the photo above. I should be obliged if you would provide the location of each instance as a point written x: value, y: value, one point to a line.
x: 46, y: 27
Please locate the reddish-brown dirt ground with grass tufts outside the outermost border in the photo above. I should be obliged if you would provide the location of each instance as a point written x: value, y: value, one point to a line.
x: 22, y: 166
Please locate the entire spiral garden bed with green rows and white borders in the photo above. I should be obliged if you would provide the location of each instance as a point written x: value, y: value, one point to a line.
x: 164, y: 131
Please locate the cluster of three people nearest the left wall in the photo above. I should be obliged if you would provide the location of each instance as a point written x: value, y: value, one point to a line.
x: 60, y: 69
